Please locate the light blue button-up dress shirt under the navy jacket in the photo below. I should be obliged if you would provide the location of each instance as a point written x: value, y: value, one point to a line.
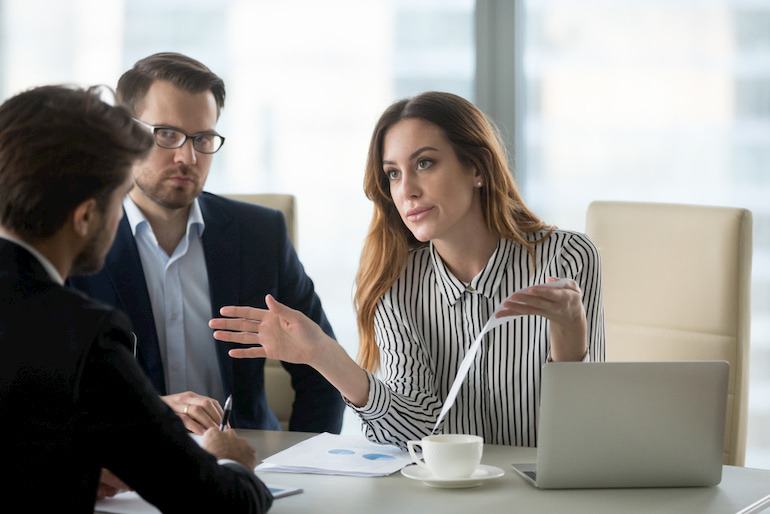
x: 181, y: 305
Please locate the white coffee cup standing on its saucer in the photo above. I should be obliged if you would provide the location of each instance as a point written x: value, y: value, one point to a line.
x: 449, y: 455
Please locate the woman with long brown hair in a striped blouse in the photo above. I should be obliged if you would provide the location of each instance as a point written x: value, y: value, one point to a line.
x: 449, y: 241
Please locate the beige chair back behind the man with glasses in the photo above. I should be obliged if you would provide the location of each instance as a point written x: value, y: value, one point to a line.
x: 280, y: 393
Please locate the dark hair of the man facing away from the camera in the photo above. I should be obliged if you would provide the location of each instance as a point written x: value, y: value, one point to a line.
x: 60, y: 146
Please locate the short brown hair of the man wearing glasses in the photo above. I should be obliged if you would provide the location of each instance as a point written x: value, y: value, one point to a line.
x: 183, y: 72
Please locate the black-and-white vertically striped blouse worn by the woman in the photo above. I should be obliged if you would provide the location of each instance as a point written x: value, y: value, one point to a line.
x: 428, y: 320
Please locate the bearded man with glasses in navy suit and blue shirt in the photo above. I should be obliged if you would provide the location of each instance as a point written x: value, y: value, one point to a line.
x: 180, y: 255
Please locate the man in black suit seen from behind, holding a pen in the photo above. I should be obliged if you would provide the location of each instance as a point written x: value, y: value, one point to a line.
x: 72, y: 397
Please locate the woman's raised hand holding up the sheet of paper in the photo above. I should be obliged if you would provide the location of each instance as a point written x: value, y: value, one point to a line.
x: 562, y: 305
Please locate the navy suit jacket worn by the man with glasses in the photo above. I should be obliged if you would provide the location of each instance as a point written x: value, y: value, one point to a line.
x: 248, y: 255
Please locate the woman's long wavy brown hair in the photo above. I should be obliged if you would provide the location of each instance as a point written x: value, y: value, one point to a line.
x: 388, y: 242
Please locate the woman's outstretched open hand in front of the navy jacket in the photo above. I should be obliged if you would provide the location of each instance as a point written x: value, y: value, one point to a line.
x: 282, y: 333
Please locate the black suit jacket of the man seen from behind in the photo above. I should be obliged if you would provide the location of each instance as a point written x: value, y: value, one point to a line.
x: 74, y: 401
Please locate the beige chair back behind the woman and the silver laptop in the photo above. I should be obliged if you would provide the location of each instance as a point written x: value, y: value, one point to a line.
x: 677, y: 286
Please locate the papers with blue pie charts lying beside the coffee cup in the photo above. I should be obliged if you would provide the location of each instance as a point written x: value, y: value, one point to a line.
x: 331, y: 454
